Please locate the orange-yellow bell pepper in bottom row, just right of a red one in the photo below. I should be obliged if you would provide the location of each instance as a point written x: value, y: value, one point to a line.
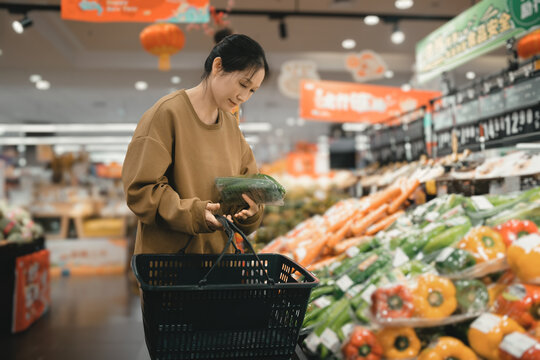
x: 399, y: 343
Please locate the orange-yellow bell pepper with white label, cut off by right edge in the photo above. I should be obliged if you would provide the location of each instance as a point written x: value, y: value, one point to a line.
x: 524, y: 256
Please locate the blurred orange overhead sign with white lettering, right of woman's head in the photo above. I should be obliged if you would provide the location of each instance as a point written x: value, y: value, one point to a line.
x: 351, y: 102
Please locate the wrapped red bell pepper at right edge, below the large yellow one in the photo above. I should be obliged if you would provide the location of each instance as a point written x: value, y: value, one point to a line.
x: 520, y: 302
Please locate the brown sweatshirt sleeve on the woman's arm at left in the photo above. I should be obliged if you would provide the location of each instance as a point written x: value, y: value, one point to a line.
x: 149, y: 194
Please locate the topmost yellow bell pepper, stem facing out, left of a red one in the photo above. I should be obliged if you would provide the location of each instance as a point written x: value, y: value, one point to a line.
x: 484, y: 243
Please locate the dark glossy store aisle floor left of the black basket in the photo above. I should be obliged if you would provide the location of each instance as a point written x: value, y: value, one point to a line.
x: 91, y: 318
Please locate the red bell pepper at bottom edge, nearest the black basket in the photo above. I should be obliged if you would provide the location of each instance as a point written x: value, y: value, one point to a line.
x: 363, y: 345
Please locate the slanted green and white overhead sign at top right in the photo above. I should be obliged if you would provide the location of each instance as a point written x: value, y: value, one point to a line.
x: 482, y: 28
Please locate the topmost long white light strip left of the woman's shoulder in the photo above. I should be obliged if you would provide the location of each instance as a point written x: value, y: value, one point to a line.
x: 66, y: 128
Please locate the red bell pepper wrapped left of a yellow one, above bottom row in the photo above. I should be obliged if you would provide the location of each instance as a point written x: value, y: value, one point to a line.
x: 392, y: 302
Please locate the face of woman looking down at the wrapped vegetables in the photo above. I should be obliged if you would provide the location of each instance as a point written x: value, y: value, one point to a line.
x: 233, y: 89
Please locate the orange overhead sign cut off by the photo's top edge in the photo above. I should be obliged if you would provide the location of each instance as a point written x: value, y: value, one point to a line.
x: 187, y: 11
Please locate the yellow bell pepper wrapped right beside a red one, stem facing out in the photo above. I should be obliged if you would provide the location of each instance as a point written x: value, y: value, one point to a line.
x: 434, y: 297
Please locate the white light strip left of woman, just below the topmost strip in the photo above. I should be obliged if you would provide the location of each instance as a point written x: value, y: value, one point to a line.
x: 59, y: 140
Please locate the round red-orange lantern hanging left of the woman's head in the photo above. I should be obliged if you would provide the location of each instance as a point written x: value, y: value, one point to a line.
x: 162, y: 40
